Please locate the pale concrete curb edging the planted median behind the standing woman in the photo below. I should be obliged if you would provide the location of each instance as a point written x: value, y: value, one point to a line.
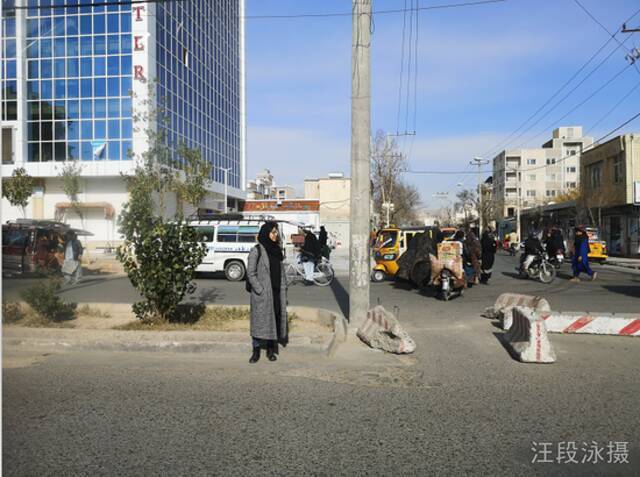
x: 181, y: 341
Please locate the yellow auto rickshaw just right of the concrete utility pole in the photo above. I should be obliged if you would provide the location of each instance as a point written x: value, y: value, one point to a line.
x: 390, y: 244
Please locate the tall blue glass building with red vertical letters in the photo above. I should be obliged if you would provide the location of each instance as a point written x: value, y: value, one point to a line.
x: 70, y: 67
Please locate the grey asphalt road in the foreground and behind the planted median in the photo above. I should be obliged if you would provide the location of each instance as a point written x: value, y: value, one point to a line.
x: 459, y: 405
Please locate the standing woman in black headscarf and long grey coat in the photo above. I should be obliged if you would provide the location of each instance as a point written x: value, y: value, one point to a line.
x: 265, y: 274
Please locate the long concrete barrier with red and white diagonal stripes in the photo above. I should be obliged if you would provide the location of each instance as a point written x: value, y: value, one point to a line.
x: 618, y: 324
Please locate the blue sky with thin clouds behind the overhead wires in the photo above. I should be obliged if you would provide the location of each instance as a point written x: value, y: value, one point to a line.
x: 481, y: 72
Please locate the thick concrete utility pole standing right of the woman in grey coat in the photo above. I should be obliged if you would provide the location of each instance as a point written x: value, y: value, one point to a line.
x: 360, y: 156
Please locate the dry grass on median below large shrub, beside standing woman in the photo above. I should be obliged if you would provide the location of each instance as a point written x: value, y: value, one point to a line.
x: 212, y: 319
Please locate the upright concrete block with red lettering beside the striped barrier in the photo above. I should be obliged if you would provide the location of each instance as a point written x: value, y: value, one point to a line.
x: 527, y: 338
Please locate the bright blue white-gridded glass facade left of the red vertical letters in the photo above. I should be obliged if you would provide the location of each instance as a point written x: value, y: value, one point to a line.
x: 79, y: 75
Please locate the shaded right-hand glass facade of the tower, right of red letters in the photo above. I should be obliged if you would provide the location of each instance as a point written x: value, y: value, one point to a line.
x: 198, y: 71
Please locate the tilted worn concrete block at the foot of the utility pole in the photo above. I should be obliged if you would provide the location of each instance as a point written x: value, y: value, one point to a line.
x: 382, y: 330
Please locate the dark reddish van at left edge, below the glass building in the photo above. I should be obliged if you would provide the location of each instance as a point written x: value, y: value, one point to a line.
x: 34, y: 246
